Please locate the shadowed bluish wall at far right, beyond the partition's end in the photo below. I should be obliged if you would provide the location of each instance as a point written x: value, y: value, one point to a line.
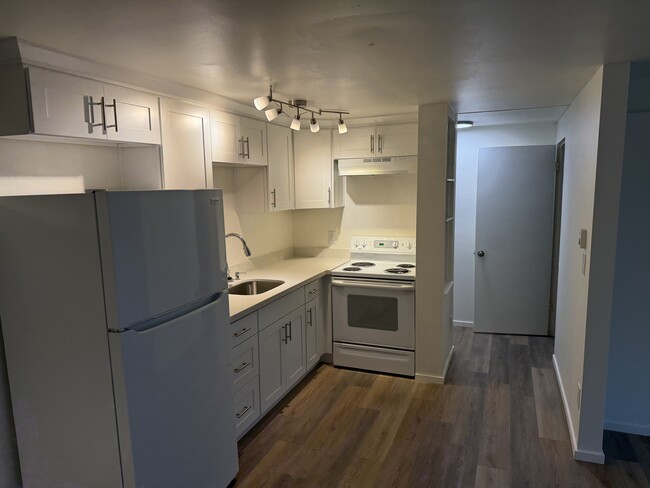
x: 628, y: 393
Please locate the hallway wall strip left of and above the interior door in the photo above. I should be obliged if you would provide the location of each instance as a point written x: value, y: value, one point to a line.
x: 469, y: 141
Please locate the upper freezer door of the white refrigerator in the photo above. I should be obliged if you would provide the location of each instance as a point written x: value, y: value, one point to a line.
x: 160, y: 250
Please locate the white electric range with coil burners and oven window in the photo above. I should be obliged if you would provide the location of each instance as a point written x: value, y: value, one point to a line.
x: 373, y: 306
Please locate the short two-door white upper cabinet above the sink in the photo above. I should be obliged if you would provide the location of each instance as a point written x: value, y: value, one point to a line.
x: 237, y: 140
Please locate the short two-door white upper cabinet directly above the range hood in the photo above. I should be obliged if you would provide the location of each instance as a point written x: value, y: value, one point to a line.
x: 378, y: 141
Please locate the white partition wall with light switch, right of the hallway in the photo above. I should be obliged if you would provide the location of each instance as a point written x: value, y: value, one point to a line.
x: 593, y: 128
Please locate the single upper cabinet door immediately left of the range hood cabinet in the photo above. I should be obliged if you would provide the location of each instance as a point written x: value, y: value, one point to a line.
x: 313, y: 169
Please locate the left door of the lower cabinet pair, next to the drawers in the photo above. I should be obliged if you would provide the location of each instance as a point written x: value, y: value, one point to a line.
x: 271, y: 344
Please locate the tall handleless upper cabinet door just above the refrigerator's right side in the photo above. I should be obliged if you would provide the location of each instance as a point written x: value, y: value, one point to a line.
x: 185, y: 145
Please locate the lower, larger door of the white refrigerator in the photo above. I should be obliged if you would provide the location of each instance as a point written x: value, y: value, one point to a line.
x: 173, y: 390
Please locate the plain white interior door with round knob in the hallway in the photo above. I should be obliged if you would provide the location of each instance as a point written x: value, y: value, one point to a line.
x: 514, y: 237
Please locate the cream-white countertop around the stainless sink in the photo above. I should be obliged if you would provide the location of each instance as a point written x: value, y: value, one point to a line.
x: 294, y: 272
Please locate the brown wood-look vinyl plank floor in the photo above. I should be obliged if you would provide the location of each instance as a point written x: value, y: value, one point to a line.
x: 497, y: 422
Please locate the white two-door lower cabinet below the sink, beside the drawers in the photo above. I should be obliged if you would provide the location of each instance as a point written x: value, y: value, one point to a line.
x: 282, y: 357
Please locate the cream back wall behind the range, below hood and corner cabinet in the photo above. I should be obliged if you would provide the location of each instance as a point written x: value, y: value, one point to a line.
x: 374, y: 205
